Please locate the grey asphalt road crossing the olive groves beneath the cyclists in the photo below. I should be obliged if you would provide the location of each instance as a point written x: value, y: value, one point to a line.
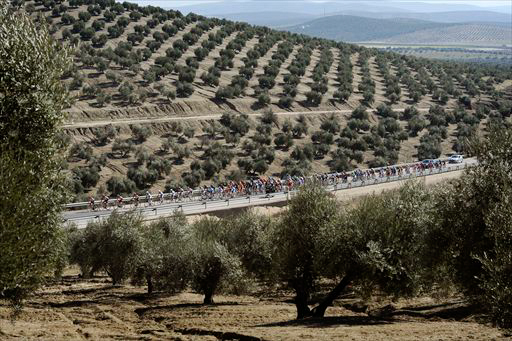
x: 157, y: 210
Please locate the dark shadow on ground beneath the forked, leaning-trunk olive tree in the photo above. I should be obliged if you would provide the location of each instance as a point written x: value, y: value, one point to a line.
x: 330, y: 321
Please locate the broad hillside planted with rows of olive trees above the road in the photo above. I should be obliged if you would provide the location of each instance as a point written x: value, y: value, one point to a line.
x: 165, y: 100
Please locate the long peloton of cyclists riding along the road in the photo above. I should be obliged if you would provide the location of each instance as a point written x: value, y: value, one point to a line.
x: 267, y: 185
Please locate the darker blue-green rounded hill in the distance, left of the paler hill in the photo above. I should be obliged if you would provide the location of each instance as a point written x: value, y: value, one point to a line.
x: 352, y: 28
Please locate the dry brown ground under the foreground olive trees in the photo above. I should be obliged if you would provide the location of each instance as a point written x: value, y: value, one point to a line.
x: 93, y: 309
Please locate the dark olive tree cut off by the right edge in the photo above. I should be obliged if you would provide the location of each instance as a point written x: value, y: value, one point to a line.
x: 473, y: 232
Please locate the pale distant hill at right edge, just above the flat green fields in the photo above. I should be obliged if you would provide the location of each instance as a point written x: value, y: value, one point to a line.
x: 466, y: 34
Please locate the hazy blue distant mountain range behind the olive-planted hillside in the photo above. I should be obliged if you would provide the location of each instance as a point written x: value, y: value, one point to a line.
x: 374, y: 21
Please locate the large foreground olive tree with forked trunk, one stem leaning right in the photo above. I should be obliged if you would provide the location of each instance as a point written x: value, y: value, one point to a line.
x: 379, y: 243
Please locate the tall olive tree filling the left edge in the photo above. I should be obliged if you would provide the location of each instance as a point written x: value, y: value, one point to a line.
x: 31, y: 101
